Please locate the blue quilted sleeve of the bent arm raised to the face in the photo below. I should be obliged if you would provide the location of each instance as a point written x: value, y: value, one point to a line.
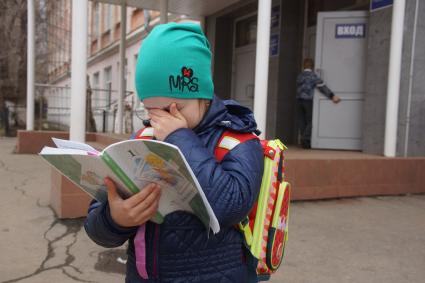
x: 231, y: 186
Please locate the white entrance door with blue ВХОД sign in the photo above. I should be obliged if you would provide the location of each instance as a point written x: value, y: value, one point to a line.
x: 341, y: 63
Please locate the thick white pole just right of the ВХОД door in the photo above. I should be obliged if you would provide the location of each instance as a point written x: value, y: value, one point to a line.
x: 393, y: 86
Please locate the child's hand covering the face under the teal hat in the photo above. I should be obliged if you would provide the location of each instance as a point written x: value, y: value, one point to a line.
x: 165, y: 123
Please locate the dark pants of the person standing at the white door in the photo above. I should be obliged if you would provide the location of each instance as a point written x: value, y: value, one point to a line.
x: 305, y: 118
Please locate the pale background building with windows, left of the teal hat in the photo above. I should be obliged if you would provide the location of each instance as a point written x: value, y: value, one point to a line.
x: 103, y: 65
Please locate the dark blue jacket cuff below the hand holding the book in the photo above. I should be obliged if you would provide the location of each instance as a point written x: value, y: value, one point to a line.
x: 103, y: 230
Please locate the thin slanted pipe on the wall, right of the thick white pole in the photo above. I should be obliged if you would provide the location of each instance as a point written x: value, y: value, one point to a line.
x: 412, y: 65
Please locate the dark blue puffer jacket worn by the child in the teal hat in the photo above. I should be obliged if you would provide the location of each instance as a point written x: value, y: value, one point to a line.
x: 181, y: 249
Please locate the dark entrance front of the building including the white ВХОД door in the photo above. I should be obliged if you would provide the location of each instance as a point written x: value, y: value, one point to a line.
x: 350, y: 42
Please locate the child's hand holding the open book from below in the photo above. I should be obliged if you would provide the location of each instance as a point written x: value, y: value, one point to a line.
x: 135, y: 210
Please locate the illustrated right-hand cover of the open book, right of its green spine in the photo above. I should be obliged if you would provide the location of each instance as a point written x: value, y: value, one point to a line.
x: 150, y: 161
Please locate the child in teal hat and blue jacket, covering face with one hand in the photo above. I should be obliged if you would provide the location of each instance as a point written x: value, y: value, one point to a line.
x: 173, y: 79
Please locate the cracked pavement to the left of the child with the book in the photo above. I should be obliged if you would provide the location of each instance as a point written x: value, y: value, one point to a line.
x: 35, y: 246
